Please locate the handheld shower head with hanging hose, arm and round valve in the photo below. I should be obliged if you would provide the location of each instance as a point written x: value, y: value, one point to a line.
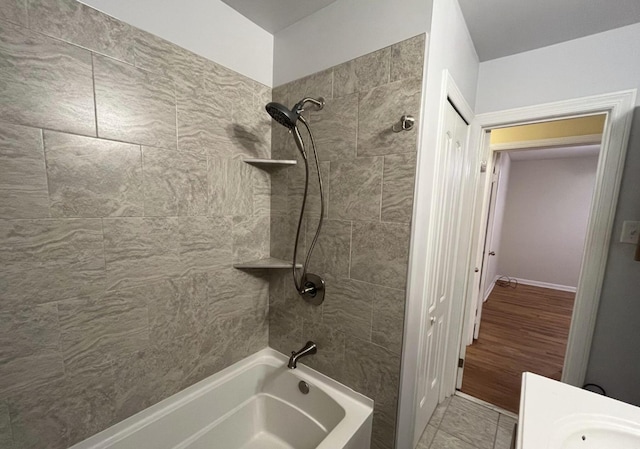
x: 310, y: 286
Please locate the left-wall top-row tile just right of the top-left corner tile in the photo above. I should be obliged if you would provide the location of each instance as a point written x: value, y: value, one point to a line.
x: 82, y: 25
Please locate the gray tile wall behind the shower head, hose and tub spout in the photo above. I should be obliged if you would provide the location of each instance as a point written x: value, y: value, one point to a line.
x: 363, y: 250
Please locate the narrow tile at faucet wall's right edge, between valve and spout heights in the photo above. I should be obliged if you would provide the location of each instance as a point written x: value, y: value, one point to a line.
x: 388, y: 318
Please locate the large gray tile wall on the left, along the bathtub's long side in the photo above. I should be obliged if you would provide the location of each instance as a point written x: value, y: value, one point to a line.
x: 123, y: 204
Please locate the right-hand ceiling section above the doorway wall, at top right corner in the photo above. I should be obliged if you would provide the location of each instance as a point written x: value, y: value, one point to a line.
x: 505, y: 27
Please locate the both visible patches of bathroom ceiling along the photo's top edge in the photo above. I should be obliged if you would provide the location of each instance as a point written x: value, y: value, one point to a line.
x: 498, y: 27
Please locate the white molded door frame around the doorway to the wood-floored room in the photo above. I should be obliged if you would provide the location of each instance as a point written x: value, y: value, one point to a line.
x: 618, y: 107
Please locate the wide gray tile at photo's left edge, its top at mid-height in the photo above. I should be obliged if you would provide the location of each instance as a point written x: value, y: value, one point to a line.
x: 48, y: 260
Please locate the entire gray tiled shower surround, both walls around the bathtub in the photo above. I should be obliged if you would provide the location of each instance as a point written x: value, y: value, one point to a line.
x: 124, y: 202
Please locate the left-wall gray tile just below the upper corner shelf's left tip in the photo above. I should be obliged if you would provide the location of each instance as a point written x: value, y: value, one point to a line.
x: 230, y: 187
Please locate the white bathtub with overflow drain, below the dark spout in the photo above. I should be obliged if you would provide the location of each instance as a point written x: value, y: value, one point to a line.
x: 252, y: 404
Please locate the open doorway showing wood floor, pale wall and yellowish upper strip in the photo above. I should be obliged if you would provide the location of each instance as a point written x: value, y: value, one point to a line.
x: 541, y: 189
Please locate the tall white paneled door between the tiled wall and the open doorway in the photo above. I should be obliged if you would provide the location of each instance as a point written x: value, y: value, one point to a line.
x: 440, y: 280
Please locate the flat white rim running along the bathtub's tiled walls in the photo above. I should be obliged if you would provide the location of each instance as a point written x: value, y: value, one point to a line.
x: 358, y: 408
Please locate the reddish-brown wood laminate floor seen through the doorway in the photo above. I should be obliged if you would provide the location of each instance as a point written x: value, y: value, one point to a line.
x: 522, y: 329
